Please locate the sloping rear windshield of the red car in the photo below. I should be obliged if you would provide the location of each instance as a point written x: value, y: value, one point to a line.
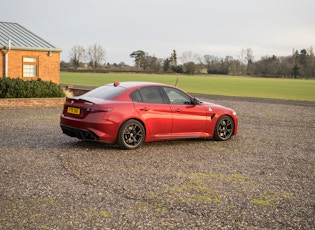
x: 105, y: 92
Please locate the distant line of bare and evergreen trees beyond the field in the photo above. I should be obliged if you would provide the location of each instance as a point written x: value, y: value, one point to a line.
x: 300, y: 64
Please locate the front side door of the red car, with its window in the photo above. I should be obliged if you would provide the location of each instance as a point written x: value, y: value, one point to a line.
x: 188, y: 119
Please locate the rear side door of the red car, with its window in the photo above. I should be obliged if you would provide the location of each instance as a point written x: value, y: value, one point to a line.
x: 154, y: 111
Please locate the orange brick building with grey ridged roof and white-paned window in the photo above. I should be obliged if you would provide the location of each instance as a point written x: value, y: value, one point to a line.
x: 25, y: 55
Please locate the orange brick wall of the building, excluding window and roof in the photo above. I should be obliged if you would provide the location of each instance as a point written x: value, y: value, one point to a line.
x: 48, y: 66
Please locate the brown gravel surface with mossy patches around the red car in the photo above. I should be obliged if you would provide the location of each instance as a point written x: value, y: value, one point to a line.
x: 263, y: 178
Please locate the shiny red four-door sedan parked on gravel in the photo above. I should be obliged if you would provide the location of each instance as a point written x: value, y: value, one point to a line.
x: 130, y: 113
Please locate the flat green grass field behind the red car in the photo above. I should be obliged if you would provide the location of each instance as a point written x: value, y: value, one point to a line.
x: 289, y: 89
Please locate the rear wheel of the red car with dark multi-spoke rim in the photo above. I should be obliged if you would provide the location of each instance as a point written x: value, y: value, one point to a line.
x: 131, y: 135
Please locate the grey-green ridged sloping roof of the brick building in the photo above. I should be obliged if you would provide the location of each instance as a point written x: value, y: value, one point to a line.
x: 22, y: 39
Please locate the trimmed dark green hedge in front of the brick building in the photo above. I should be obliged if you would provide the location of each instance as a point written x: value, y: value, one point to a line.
x: 17, y: 88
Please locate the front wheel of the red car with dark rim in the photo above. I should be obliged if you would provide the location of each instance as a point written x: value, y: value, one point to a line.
x: 224, y: 128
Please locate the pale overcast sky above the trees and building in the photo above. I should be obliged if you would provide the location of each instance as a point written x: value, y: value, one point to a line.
x: 214, y: 27
